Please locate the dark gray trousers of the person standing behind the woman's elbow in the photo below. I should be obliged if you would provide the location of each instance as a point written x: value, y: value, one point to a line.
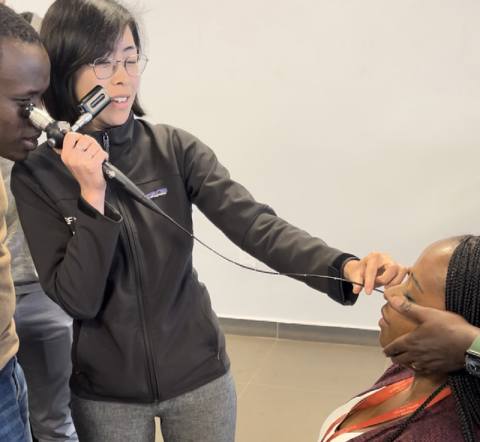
x: 45, y: 333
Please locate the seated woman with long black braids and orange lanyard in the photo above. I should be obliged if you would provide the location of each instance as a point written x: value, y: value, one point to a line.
x: 406, y: 404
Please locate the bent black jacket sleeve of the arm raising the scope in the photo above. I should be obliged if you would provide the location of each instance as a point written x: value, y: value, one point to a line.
x: 73, y: 268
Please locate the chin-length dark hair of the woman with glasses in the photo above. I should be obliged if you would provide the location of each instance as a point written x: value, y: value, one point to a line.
x: 75, y: 33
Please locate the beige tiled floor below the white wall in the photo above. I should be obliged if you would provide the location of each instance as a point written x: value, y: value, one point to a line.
x: 286, y: 388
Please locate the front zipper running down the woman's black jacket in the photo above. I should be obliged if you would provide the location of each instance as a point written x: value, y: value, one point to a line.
x: 133, y: 258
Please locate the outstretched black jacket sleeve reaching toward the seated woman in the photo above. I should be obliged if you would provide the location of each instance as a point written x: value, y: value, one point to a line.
x: 255, y: 227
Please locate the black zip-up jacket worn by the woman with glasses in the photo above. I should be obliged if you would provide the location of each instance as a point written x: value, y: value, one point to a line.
x: 144, y: 329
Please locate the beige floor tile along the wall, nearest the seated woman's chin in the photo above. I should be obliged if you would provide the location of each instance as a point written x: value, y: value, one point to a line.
x: 323, y: 367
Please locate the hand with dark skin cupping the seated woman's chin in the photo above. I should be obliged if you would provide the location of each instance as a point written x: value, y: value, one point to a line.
x: 439, y: 342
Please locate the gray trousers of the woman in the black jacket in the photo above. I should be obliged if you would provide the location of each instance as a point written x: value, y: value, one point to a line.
x: 206, y: 414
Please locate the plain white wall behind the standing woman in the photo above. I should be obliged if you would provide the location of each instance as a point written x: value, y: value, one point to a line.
x: 355, y: 120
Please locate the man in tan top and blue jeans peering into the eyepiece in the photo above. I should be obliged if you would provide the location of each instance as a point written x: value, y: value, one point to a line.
x: 24, y: 76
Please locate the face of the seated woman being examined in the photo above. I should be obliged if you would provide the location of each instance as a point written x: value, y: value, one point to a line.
x: 425, y: 286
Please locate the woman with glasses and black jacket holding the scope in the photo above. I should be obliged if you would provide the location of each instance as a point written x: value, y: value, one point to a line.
x: 146, y: 341
